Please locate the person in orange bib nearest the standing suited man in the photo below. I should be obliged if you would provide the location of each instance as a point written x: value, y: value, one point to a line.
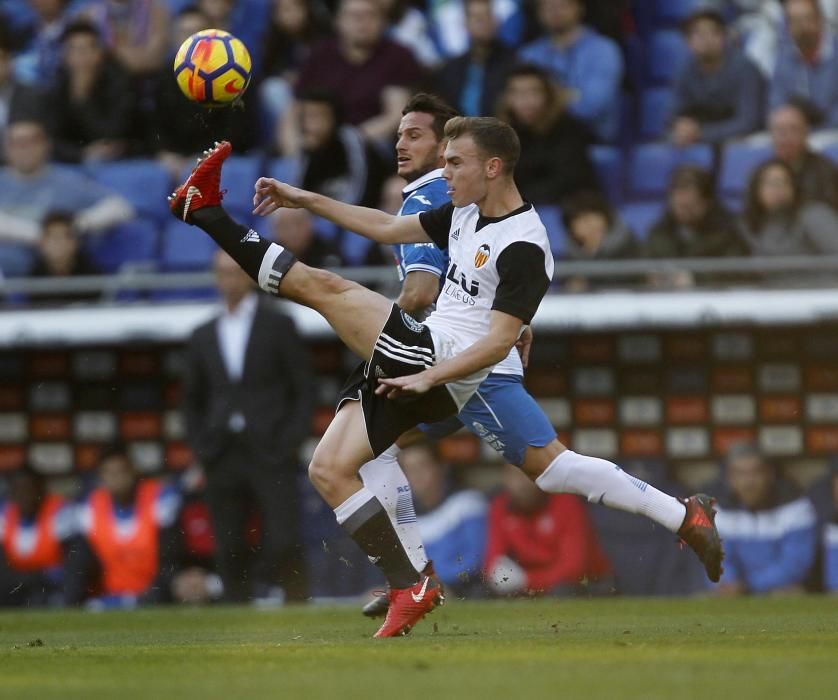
x: 133, y: 538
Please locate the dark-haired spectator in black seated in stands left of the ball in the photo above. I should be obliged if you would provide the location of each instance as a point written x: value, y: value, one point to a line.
x: 92, y: 106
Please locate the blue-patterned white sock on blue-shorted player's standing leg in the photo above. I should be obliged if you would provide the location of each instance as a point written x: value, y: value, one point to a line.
x: 384, y: 477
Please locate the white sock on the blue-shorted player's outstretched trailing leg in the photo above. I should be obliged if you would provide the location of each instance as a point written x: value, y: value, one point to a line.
x: 601, y: 481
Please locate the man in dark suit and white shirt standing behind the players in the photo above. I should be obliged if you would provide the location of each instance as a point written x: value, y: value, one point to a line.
x: 247, y: 406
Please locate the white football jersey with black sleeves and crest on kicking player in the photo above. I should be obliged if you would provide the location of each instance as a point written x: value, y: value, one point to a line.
x: 502, y: 263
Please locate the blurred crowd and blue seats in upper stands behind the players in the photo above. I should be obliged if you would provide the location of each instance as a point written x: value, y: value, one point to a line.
x: 610, y: 98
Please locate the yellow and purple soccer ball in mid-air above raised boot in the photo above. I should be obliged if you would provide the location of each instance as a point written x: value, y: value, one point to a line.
x: 212, y: 68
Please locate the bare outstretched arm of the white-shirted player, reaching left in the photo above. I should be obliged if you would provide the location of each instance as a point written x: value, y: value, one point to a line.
x: 272, y: 195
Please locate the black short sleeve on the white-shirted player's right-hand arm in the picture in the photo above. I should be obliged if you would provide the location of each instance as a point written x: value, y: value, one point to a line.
x: 523, y: 280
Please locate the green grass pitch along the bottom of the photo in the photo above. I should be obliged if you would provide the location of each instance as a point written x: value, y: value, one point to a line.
x: 615, y: 649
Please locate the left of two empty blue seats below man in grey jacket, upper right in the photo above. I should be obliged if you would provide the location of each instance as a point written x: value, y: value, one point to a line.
x: 651, y: 165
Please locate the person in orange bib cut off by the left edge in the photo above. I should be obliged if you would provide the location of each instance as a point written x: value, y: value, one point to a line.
x: 37, y: 528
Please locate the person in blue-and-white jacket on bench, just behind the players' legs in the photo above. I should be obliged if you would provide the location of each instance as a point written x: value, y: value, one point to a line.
x: 452, y: 520
